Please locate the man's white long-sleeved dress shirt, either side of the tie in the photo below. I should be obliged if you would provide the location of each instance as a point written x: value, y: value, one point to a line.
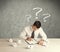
x: 28, y: 31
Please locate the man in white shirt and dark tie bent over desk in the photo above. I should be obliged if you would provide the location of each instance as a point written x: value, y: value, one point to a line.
x: 32, y: 32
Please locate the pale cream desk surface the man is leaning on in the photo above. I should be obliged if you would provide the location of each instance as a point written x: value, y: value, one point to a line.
x: 53, y: 46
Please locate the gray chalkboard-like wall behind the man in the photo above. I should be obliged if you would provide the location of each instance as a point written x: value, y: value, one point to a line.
x: 13, y: 20
